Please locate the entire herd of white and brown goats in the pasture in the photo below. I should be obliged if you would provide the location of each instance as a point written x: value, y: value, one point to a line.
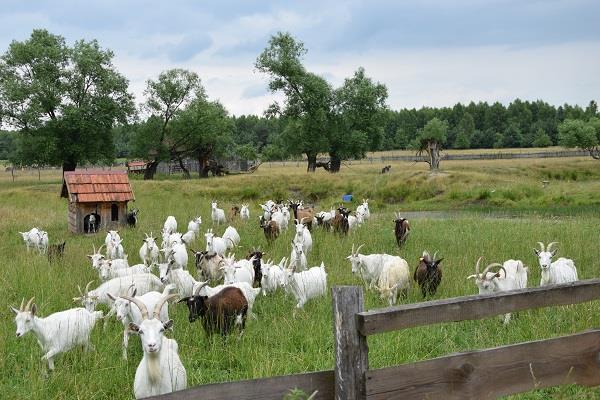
x: 224, y: 307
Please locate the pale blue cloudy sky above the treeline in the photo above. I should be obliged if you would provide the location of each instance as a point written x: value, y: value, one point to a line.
x: 428, y: 53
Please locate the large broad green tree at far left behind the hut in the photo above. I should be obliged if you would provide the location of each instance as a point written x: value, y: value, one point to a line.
x: 64, y: 100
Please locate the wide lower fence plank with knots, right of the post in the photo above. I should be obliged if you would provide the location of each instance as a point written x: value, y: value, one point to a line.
x: 488, y: 374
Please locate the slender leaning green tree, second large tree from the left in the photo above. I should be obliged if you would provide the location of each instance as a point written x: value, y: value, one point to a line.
x: 165, y: 98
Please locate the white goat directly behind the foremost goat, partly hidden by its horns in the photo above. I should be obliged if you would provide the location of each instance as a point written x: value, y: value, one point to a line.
x: 126, y: 314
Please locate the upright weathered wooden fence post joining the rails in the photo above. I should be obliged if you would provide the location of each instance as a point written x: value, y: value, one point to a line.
x: 351, y: 351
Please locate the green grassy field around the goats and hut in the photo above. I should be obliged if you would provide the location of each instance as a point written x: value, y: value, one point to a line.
x: 497, y: 209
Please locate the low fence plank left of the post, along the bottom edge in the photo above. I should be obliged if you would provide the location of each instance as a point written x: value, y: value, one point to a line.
x: 258, y: 389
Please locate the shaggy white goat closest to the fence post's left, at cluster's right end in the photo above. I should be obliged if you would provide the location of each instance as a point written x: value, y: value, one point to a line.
x: 306, y: 285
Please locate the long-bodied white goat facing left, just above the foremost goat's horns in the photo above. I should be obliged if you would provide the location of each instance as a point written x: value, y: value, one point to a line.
x: 144, y: 283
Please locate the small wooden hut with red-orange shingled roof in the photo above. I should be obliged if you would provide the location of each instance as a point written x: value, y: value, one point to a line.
x: 101, y: 194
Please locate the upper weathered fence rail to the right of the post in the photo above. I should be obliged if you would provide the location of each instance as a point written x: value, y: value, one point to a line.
x: 475, y: 307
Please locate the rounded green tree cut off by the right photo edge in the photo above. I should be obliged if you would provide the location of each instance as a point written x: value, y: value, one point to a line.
x: 581, y: 134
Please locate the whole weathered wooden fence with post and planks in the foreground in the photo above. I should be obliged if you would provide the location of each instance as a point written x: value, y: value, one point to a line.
x: 481, y: 374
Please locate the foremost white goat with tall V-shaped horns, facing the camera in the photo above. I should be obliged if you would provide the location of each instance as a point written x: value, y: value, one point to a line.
x: 160, y: 371
